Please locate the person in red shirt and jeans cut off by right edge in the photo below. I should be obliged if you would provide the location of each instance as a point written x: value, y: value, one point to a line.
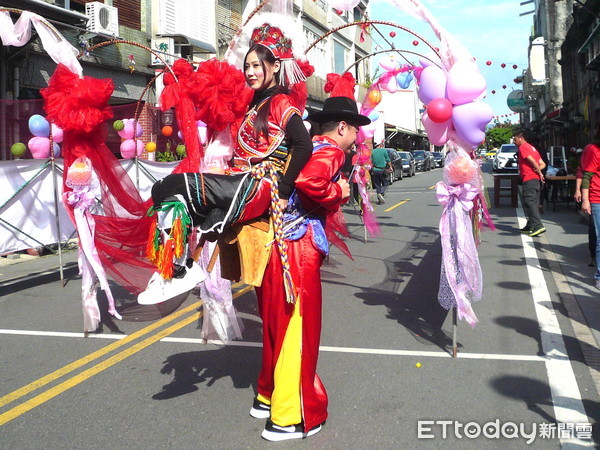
x: 590, y: 190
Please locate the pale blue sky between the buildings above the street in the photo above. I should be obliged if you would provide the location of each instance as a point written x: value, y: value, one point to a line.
x: 491, y: 30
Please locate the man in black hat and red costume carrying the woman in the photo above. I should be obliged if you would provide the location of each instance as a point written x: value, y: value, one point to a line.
x: 290, y: 393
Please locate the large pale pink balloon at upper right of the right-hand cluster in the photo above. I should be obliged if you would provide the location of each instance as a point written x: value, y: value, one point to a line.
x: 465, y: 83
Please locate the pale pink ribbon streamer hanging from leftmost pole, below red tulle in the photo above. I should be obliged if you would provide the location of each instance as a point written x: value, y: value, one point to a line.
x: 82, y: 199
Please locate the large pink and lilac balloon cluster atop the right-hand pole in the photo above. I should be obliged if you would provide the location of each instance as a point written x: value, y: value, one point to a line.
x: 452, y: 102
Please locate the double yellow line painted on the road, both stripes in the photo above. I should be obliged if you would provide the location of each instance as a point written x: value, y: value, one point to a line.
x: 88, y: 373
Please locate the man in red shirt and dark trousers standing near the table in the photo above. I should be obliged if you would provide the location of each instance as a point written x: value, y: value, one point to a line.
x: 531, y: 165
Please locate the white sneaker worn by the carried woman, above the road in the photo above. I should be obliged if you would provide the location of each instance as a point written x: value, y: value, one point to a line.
x: 160, y: 290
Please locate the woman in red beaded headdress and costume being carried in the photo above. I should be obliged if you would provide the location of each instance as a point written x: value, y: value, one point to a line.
x: 272, y: 147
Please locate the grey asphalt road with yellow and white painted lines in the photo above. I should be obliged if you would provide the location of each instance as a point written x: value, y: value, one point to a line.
x: 154, y: 385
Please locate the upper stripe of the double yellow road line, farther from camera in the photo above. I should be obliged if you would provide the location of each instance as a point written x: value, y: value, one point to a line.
x: 92, y: 356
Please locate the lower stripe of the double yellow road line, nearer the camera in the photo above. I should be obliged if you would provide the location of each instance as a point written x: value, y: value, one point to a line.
x: 88, y: 373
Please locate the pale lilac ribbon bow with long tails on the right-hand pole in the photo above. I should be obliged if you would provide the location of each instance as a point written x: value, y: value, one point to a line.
x: 461, y: 280
